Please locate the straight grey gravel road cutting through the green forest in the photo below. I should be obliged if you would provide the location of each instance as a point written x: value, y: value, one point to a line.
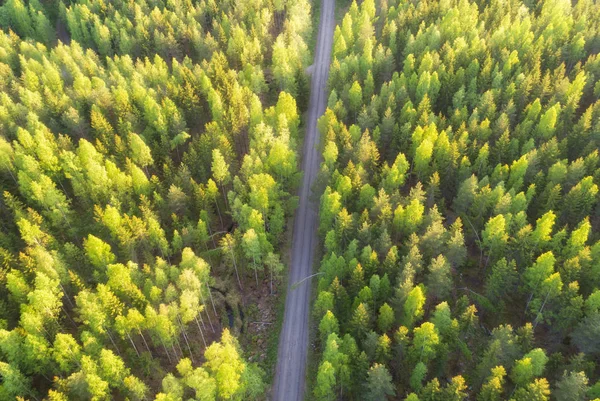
x: 289, y: 383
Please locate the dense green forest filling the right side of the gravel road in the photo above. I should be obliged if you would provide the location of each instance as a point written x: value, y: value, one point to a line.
x: 460, y: 209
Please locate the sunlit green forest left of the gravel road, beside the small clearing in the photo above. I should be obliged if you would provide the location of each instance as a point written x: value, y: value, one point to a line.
x: 147, y: 157
